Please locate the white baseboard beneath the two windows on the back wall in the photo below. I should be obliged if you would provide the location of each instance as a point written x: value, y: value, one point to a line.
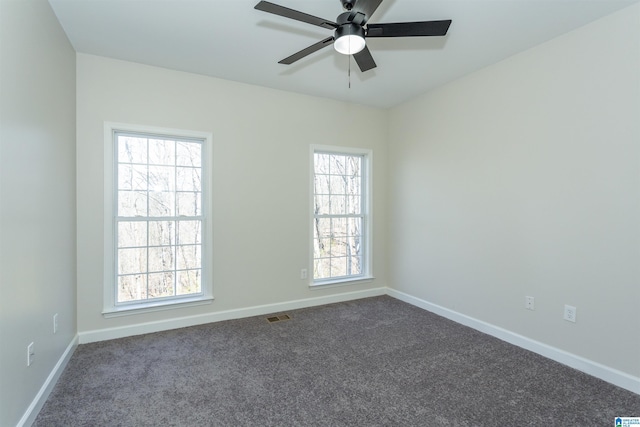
x: 182, y: 322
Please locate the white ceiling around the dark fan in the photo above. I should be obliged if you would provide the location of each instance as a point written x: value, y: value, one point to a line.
x: 229, y: 39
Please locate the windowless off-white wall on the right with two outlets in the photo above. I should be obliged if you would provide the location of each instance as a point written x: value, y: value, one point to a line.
x: 524, y: 179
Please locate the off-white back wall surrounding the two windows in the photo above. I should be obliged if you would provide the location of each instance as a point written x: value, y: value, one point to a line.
x: 261, y: 141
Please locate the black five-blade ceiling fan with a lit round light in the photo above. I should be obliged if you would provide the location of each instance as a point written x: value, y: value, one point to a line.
x: 351, y: 29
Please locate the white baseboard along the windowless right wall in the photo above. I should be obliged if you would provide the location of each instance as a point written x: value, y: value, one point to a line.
x: 610, y: 375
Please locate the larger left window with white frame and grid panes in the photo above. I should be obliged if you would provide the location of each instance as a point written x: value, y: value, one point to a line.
x: 159, y: 214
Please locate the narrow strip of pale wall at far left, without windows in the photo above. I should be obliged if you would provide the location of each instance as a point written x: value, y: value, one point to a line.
x: 37, y: 200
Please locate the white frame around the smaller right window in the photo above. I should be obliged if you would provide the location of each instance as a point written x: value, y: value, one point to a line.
x: 367, y: 211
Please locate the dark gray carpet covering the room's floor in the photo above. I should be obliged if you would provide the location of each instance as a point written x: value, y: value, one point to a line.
x: 372, y: 362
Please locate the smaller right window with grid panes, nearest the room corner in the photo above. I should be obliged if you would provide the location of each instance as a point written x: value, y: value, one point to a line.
x: 341, y: 218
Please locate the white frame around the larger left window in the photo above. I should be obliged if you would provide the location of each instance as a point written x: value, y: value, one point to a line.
x: 110, y: 306
